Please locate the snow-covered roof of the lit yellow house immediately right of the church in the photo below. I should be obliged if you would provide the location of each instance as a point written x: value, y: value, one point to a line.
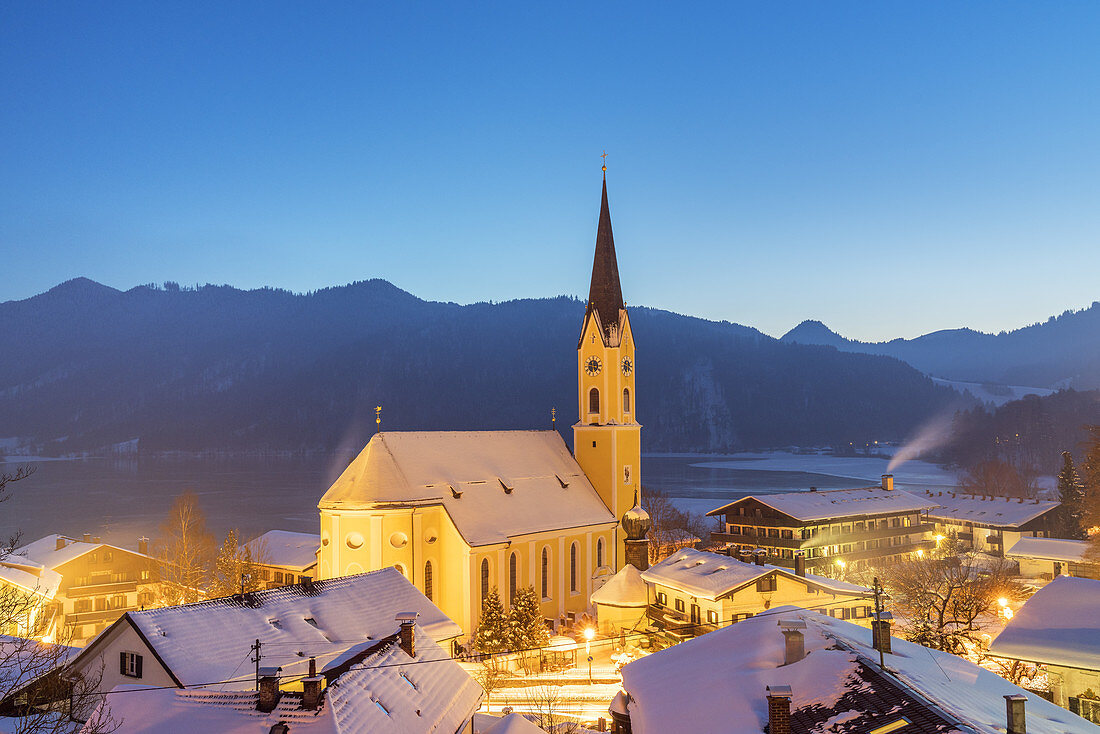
x: 710, y: 576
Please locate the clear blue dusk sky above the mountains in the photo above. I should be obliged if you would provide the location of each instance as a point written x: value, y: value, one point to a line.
x: 889, y: 169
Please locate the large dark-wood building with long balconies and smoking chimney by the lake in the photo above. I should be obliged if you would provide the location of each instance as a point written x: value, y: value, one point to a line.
x: 835, y: 529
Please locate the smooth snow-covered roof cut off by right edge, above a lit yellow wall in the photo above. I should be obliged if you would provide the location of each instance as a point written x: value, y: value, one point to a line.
x: 1059, y: 626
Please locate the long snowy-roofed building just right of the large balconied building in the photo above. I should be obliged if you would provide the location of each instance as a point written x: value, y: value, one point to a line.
x: 991, y: 524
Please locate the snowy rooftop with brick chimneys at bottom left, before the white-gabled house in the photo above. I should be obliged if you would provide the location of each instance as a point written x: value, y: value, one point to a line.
x: 403, y: 683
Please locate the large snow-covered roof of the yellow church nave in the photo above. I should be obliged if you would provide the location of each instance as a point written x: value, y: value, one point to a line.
x: 494, y: 485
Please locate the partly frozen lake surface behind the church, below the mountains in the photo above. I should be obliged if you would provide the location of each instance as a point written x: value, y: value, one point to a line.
x: 123, y: 500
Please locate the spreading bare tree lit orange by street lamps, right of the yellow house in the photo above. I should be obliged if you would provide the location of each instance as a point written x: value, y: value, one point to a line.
x: 944, y: 604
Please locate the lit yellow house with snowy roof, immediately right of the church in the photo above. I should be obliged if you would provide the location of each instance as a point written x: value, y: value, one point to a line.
x: 694, y: 591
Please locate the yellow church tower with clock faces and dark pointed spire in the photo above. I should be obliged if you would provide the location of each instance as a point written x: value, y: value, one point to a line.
x: 608, y: 439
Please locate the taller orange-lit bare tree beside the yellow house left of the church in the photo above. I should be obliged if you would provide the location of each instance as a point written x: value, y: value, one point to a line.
x: 185, y: 554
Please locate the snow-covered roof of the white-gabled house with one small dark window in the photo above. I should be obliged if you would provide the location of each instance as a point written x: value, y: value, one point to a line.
x: 207, y: 641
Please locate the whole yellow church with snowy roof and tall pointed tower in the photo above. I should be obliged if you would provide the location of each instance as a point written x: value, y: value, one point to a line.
x: 463, y: 512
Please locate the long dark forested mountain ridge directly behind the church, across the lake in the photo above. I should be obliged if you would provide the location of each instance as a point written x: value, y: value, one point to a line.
x: 87, y: 368
